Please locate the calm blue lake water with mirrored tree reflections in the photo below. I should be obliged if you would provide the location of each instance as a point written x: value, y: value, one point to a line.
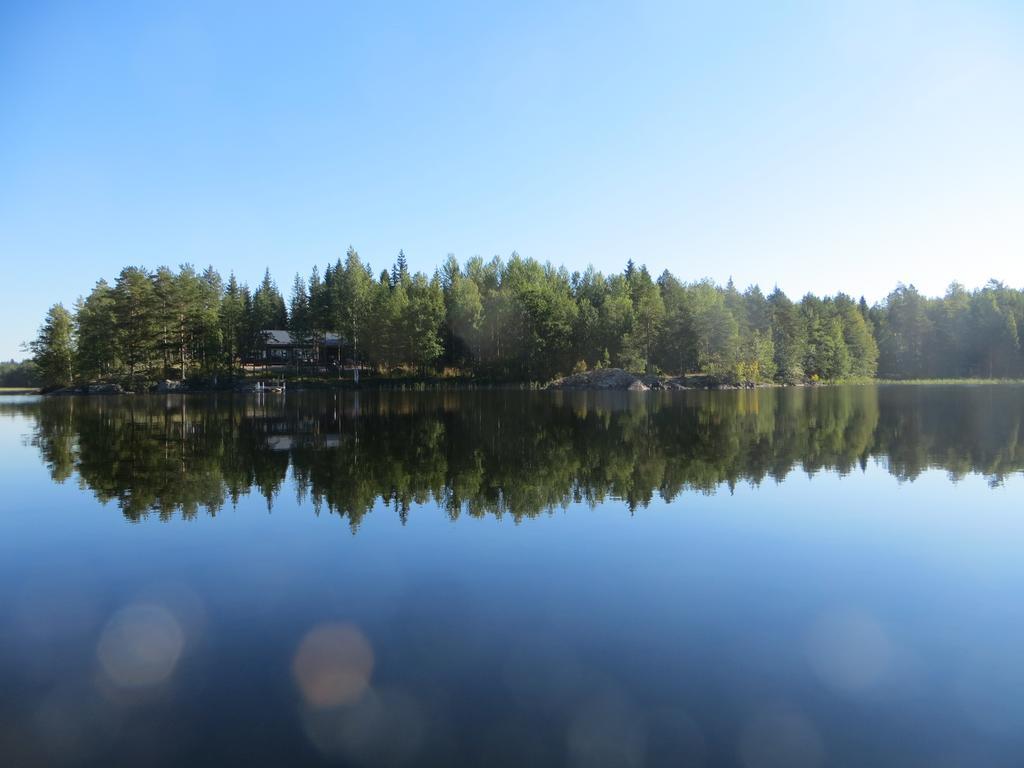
x: 775, y: 579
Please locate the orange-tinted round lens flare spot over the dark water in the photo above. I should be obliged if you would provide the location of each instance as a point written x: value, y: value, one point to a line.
x: 333, y: 665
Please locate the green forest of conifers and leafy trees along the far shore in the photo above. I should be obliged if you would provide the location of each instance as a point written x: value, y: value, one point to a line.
x: 521, y: 320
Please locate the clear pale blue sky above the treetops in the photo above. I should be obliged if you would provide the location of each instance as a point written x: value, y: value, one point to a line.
x: 818, y: 146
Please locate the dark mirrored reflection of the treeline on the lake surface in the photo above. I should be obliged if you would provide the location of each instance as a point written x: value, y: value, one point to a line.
x: 509, y: 453
